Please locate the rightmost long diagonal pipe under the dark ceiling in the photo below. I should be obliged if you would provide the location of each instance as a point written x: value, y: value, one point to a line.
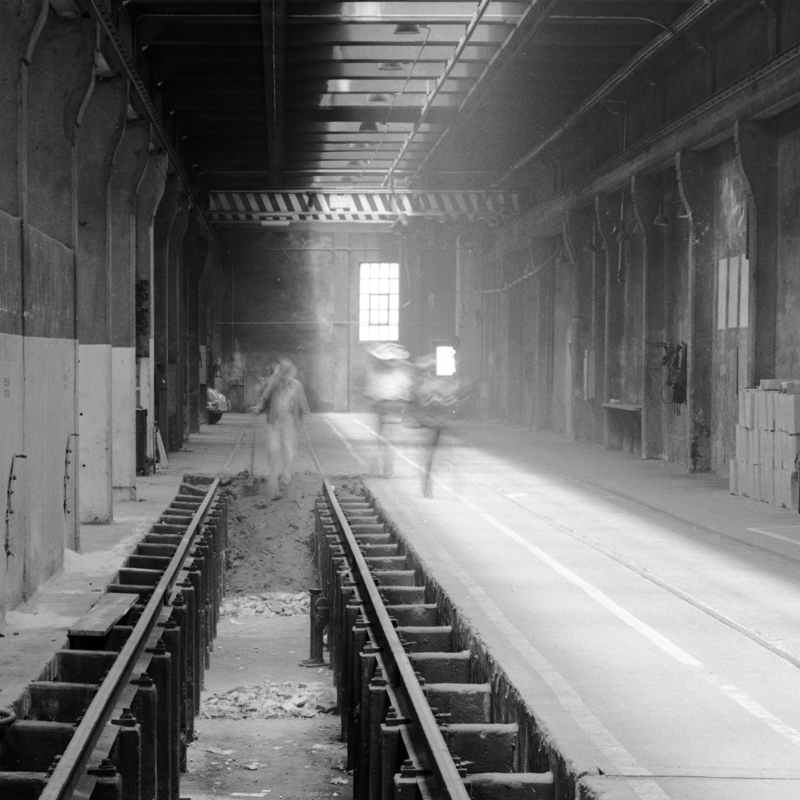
x: 686, y: 21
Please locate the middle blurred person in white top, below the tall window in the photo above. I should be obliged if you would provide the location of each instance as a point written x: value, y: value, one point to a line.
x: 388, y: 385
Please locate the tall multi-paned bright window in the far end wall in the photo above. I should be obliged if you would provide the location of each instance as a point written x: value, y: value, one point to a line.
x: 379, y: 302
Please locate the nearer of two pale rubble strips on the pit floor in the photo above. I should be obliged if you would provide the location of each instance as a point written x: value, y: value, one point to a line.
x: 269, y: 700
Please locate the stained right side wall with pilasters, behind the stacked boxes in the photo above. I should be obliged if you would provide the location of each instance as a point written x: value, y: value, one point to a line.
x: 693, y: 281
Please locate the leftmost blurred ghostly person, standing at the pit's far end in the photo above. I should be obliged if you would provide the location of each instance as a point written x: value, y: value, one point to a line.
x: 283, y: 401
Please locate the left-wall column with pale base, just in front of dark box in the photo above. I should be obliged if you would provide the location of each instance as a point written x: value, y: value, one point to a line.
x: 129, y: 163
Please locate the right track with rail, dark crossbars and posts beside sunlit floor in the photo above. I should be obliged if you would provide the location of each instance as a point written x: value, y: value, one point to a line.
x: 424, y: 712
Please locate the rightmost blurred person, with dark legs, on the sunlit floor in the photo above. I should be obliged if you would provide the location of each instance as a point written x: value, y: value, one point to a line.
x: 434, y: 402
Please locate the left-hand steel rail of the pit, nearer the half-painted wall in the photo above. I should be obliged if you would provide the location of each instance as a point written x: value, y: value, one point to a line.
x: 75, y: 759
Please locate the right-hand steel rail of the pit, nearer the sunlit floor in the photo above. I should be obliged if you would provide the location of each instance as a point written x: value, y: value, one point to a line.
x: 439, y: 760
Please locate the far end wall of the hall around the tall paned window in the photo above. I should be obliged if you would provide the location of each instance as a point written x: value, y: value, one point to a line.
x: 296, y: 295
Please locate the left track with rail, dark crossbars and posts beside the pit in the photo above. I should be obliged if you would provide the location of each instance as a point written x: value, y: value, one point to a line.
x: 112, y: 715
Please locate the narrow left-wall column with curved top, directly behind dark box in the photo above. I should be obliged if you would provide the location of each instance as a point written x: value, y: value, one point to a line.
x: 148, y: 197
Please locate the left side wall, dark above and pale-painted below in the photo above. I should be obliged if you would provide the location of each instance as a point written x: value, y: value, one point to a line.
x: 77, y: 213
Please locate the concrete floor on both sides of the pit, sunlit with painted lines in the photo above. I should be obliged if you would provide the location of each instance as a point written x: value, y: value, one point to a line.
x: 651, y: 618
